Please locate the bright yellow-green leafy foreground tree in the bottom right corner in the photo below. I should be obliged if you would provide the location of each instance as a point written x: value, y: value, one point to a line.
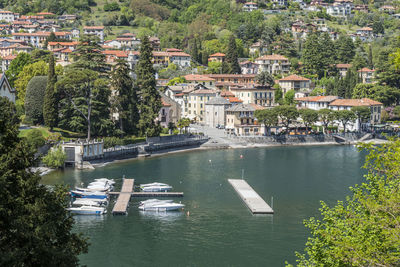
x: 363, y: 230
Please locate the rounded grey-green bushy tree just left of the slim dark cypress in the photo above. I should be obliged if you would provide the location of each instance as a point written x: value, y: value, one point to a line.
x: 34, y: 98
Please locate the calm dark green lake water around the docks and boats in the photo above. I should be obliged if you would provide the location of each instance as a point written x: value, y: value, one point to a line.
x: 220, y: 230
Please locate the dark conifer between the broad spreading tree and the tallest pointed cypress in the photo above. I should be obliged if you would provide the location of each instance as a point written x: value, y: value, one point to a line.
x: 125, y: 99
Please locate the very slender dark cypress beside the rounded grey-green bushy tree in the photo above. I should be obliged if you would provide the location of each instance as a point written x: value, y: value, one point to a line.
x: 50, y: 105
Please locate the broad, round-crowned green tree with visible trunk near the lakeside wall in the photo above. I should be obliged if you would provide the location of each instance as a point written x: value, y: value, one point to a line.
x: 85, y: 103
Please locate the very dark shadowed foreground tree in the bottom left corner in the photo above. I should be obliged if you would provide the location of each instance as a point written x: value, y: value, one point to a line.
x: 35, y: 228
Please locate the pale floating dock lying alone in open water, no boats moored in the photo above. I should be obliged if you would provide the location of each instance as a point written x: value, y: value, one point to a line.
x: 253, y: 201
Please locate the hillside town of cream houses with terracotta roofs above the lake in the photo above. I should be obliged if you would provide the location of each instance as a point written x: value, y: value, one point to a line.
x: 210, y: 95
